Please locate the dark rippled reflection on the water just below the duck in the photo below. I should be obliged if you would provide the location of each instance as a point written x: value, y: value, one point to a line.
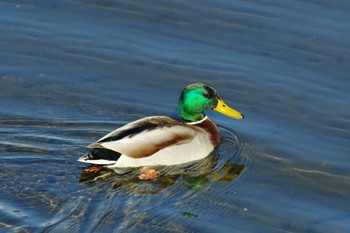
x: 193, y: 176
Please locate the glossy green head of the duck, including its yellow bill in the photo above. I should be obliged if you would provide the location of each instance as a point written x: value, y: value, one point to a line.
x: 198, y: 97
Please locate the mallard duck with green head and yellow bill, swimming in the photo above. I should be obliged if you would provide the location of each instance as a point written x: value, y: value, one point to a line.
x: 160, y: 140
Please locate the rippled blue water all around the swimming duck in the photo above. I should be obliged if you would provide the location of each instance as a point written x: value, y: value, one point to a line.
x: 71, y: 71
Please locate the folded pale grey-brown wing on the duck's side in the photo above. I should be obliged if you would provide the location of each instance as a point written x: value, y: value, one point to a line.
x: 144, y: 137
